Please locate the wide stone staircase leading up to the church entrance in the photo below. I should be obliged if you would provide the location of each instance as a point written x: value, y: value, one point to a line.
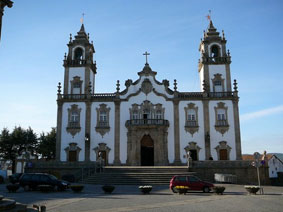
x: 136, y: 175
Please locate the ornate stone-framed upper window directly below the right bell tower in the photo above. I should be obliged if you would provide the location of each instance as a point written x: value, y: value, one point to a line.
x: 221, y: 118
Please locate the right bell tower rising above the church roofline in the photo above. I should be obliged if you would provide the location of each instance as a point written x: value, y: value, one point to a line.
x: 214, y: 63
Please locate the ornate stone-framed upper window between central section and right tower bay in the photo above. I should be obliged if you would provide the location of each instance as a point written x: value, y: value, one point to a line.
x: 191, y: 122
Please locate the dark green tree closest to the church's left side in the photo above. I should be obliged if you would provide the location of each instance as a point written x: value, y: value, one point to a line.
x: 47, y: 145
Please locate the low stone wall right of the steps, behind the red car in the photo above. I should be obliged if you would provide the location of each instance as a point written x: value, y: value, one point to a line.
x: 243, y: 170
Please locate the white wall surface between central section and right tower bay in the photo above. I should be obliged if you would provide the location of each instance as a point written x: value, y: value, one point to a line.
x: 186, y: 137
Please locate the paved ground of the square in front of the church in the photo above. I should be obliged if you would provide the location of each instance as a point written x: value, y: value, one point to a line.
x: 129, y: 198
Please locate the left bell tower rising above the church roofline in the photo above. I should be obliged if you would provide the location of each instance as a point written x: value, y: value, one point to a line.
x: 80, y: 69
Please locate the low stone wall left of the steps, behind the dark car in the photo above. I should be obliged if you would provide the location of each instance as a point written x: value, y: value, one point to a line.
x: 80, y: 170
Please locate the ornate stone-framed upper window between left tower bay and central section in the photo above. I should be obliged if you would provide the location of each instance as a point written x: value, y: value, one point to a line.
x: 102, y: 122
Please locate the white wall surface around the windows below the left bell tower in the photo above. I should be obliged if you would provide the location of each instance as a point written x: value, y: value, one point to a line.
x: 66, y: 137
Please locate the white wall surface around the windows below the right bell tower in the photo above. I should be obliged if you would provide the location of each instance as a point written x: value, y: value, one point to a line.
x: 228, y: 136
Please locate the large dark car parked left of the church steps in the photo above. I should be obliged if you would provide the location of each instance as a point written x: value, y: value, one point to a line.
x: 30, y: 181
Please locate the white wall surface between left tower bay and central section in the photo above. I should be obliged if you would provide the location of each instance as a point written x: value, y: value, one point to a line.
x: 108, y: 138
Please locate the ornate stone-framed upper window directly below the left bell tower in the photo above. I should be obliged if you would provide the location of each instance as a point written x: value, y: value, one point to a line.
x: 74, y: 114
